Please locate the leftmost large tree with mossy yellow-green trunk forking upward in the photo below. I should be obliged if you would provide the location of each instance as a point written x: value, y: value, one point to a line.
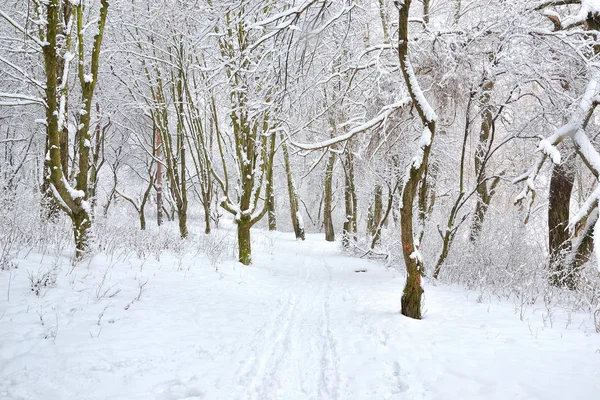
x: 54, y: 38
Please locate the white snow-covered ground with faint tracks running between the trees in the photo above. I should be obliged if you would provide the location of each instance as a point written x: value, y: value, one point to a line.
x: 299, y: 323
